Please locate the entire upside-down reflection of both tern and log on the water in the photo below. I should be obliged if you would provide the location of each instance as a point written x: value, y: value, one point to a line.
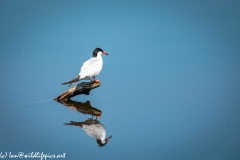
x: 92, y: 127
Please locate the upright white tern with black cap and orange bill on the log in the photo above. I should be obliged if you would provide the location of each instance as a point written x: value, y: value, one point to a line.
x: 91, y: 68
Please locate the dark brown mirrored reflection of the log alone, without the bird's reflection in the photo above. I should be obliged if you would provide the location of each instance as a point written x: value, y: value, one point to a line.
x: 84, y: 108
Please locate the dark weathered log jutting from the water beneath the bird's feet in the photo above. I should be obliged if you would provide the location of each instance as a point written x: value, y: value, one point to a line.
x: 81, y: 88
